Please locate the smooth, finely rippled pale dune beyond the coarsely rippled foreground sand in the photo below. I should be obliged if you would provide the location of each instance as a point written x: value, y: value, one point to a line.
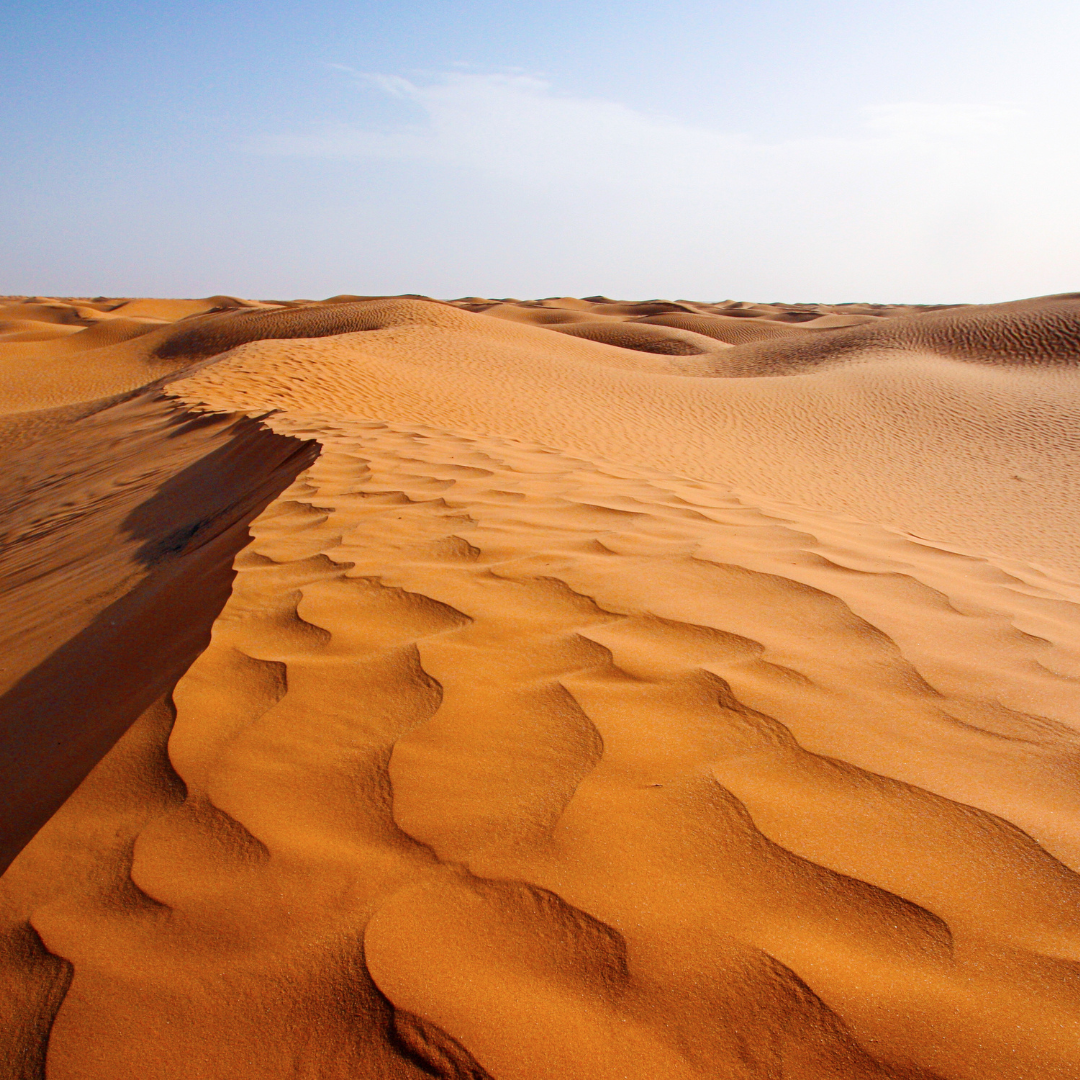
x: 909, y: 420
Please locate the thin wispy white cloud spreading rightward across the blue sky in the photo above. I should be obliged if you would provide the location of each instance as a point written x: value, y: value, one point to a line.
x: 939, y: 194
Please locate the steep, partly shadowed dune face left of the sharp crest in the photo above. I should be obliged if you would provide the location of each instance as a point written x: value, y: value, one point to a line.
x: 120, y: 523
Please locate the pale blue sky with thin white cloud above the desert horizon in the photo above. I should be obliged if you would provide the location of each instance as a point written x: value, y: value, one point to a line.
x: 777, y: 151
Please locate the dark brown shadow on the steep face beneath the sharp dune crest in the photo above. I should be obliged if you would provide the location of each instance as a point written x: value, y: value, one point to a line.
x: 64, y: 715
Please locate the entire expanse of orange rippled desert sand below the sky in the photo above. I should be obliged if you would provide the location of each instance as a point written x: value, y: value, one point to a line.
x: 539, y: 691
